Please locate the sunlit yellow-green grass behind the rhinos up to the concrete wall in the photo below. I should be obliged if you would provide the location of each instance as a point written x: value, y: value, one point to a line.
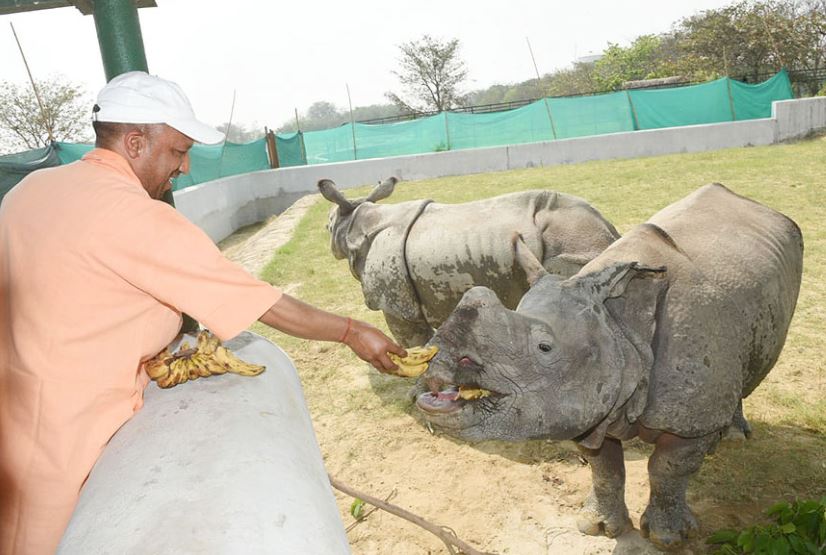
x: 790, y: 178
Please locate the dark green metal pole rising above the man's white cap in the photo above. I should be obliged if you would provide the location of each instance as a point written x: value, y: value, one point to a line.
x: 119, y: 36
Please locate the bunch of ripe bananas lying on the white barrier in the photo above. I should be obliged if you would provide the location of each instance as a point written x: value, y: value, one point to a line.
x: 207, y: 358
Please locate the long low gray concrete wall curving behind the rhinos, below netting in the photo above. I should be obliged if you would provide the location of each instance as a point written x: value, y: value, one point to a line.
x: 224, y: 205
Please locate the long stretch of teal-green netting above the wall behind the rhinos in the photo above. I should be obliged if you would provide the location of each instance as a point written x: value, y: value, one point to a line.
x: 552, y: 118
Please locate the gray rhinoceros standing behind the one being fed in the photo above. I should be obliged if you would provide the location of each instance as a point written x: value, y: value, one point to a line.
x: 415, y: 259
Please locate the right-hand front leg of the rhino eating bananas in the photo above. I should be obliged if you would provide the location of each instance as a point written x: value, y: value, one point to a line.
x: 668, y: 521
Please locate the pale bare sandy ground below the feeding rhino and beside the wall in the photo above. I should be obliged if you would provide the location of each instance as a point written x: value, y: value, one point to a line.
x: 508, y: 498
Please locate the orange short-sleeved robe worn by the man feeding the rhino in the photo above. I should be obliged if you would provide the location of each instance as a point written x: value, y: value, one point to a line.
x: 94, y: 275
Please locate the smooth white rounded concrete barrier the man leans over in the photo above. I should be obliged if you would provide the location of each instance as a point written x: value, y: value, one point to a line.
x: 221, y: 465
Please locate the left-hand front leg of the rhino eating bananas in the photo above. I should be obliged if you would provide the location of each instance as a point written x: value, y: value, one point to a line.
x: 604, y: 511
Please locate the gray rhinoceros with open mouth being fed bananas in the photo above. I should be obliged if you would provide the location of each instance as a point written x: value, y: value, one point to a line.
x: 659, y: 337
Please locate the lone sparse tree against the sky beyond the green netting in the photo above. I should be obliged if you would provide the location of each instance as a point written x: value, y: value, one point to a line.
x: 431, y: 72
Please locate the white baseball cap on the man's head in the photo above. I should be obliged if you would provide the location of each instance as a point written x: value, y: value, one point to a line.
x: 137, y: 97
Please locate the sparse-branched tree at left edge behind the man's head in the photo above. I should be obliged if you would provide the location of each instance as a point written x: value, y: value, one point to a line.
x: 66, y: 111
